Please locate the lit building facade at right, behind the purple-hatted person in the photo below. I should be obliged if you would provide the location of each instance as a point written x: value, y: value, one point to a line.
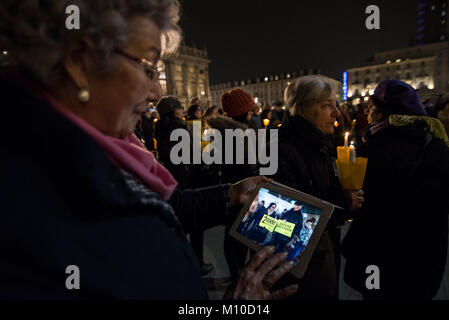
x: 424, y: 67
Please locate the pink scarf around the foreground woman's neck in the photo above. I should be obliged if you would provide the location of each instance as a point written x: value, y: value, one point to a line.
x: 127, y: 153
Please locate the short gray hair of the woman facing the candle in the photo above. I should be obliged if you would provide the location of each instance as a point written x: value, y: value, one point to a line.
x: 306, y: 91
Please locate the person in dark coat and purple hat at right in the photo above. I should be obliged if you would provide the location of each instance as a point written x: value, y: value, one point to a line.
x: 402, y: 227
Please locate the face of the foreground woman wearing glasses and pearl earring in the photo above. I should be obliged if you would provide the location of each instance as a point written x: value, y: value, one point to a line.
x: 120, y: 98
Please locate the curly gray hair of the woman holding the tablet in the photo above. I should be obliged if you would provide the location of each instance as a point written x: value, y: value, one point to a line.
x: 35, y: 35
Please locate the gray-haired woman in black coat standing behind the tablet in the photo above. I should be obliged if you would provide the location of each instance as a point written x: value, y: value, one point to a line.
x: 305, y: 164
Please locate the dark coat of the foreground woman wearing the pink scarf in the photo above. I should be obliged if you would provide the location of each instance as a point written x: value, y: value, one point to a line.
x: 63, y: 202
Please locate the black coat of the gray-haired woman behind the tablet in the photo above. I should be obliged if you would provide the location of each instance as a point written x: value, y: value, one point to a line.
x: 305, y: 164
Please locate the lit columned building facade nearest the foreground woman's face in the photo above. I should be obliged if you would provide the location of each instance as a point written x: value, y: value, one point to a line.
x: 186, y: 75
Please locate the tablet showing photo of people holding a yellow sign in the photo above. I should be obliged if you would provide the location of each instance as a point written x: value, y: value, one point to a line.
x: 288, y: 219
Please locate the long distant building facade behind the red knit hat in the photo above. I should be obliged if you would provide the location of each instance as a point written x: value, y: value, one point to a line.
x: 267, y: 90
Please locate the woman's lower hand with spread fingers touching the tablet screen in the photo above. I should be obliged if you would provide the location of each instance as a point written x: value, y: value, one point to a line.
x: 259, y: 275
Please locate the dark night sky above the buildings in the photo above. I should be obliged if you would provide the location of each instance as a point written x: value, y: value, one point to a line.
x: 250, y: 38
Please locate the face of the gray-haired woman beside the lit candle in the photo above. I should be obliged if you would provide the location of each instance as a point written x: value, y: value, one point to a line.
x: 323, y: 115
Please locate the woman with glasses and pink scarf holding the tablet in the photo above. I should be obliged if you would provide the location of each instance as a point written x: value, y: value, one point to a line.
x: 83, y: 196
